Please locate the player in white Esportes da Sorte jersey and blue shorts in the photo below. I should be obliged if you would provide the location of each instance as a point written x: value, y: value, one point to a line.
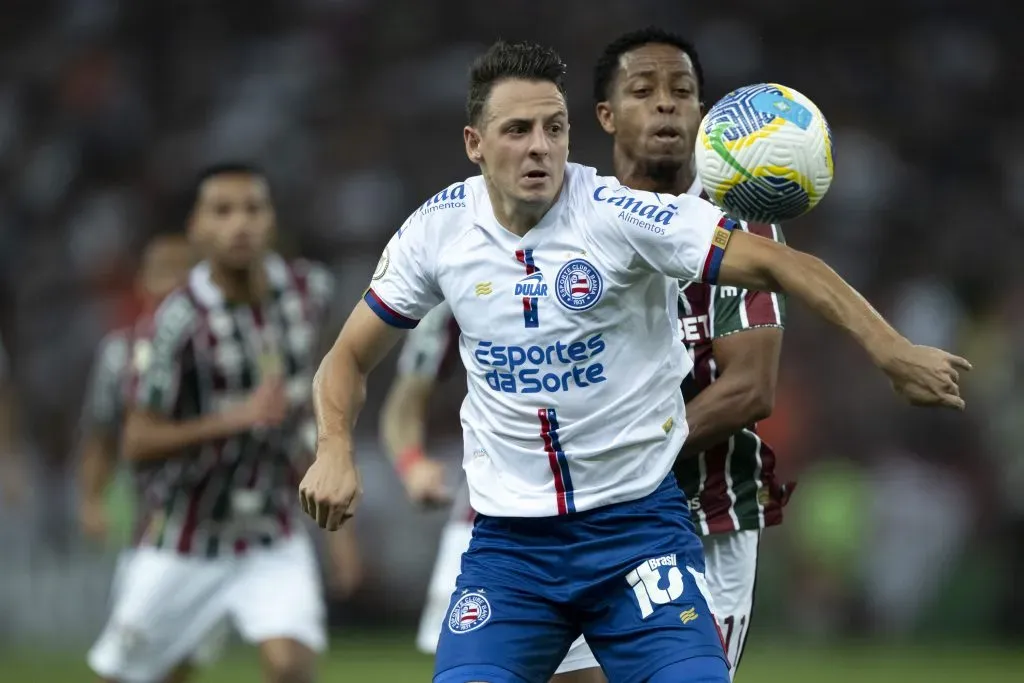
x: 574, y: 416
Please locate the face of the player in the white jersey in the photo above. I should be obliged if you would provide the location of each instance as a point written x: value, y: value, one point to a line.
x: 523, y: 143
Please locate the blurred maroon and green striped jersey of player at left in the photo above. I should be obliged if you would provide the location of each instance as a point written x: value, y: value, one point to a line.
x: 203, y: 356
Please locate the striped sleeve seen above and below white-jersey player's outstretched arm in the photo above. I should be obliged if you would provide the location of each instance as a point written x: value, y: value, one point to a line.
x: 738, y: 310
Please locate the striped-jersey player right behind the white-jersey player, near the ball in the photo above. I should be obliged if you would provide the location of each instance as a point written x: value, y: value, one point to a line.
x: 649, y: 92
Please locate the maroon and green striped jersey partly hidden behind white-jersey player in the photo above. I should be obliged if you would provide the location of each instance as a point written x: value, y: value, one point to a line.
x: 732, y: 487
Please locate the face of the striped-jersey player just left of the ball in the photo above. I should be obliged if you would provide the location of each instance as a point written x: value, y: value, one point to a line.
x: 655, y: 107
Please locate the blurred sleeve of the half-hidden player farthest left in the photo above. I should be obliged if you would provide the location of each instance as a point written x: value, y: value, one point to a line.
x: 105, y: 395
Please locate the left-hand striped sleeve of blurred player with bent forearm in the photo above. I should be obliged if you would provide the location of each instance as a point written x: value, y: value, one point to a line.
x: 159, y: 358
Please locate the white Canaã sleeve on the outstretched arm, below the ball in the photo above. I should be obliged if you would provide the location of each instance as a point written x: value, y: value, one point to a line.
x: 684, y: 237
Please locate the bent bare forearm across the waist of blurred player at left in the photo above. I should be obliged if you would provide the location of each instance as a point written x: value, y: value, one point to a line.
x: 151, y: 438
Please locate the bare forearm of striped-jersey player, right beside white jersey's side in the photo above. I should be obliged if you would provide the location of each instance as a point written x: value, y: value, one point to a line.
x: 719, y: 412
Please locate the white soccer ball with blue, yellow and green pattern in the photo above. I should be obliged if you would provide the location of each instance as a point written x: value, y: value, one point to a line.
x: 764, y: 154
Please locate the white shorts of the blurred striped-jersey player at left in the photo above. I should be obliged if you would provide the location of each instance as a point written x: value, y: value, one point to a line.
x: 167, y: 608
